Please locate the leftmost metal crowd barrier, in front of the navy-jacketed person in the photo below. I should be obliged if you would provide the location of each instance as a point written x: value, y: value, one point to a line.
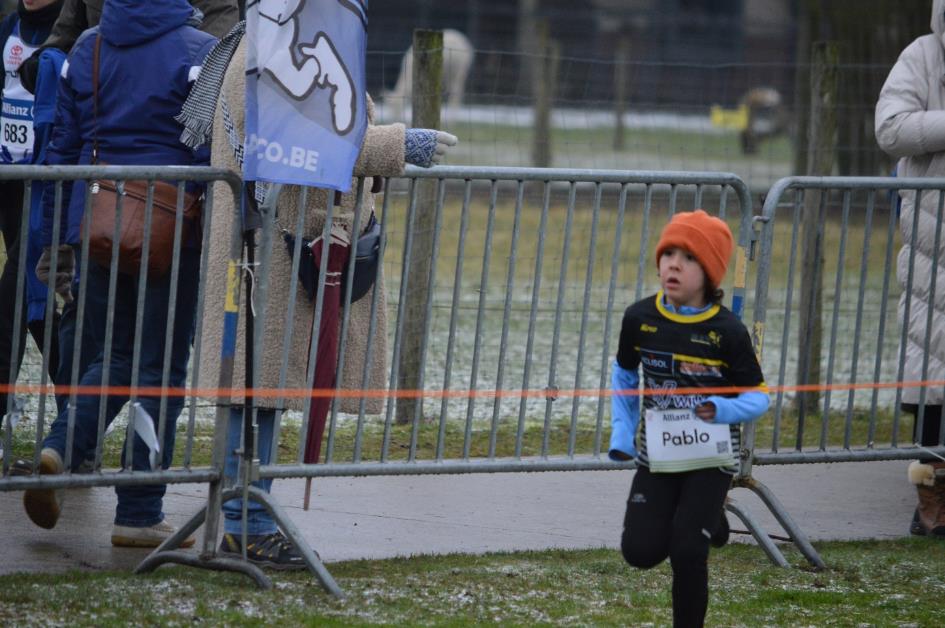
x: 107, y: 335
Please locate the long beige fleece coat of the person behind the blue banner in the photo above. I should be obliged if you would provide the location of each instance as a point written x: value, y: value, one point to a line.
x: 382, y: 155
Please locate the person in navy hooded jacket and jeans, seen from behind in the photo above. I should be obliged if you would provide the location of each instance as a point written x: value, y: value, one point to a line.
x: 149, y: 58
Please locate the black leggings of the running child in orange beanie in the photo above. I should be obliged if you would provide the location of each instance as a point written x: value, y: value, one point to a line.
x: 672, y: 515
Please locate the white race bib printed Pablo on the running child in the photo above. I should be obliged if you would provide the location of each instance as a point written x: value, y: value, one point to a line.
x: 677, y: 440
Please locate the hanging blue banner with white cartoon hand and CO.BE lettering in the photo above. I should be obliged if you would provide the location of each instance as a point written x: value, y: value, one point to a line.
x: 305, y: 94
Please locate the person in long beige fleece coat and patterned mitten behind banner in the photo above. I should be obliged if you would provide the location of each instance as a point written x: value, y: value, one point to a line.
x: 384, y: 152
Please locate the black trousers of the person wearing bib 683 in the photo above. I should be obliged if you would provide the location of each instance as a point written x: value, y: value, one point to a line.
x: 11, y: 214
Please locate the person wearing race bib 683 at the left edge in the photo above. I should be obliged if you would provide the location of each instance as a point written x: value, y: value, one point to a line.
x: 21, y: 142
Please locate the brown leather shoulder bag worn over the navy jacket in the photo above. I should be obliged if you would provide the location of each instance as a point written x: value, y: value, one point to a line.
x: 103, y: 213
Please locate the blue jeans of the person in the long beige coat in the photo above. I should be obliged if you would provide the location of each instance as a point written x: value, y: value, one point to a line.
x: 259, y: 520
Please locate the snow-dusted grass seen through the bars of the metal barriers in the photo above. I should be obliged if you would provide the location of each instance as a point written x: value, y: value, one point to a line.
x: 489, y: 287
